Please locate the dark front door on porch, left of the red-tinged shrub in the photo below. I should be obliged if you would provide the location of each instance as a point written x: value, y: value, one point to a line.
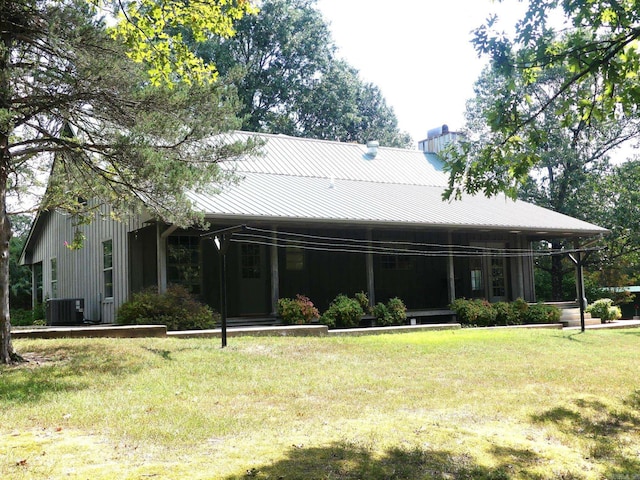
x: 253, y: 298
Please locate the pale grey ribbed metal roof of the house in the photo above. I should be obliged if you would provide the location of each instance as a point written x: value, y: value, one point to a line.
x: 307, y: 180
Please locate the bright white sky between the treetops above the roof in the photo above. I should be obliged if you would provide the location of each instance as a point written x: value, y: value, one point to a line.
x: 417, y: 51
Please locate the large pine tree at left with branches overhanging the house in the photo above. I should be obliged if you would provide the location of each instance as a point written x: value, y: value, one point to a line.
x: 72, y: 103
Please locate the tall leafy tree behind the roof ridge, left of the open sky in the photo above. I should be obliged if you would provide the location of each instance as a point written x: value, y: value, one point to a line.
x: 292, y: 83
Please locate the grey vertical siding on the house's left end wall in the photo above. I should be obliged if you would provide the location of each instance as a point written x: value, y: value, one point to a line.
x: 80, y: 272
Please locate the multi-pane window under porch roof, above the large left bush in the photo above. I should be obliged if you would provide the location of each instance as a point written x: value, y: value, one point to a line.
x: 183, y: 262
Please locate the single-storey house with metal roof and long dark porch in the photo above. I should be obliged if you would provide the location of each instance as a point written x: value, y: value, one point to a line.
x: 317, y: 218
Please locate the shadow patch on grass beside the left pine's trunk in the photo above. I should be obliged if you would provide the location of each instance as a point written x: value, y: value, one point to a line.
x: 54, y: 369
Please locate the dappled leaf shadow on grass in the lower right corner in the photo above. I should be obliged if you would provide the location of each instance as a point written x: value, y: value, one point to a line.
x: 609, y: 434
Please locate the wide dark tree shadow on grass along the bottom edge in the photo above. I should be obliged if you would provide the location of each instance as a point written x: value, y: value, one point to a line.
x: 349, y: 462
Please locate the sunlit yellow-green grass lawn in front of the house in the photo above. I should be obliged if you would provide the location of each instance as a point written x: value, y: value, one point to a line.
x: 471, y: 403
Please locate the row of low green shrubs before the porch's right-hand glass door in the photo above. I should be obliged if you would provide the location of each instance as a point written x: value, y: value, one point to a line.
x: 480, y: 313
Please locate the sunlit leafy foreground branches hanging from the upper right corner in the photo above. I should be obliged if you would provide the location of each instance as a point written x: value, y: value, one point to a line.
x: 597, y: 52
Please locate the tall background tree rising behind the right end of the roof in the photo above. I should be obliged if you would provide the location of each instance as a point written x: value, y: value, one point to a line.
x: 572, y: 155
